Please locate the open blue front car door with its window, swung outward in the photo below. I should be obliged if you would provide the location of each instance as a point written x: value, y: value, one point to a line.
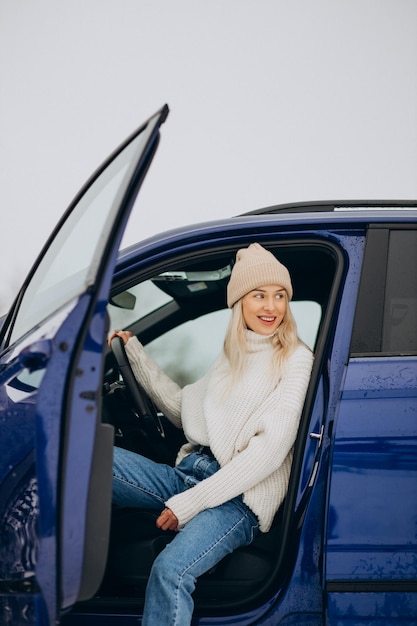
x: 55, y: 454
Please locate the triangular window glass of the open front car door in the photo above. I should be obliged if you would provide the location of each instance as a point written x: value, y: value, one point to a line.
x: 72, y: 259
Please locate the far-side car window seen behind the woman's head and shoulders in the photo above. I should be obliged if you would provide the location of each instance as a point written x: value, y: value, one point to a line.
x: 186, y: 352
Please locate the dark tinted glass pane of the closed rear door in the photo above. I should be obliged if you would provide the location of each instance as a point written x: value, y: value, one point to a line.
x: 399, y: 332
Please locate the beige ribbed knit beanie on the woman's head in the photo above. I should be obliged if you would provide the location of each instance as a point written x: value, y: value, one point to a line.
x: 255, y: 267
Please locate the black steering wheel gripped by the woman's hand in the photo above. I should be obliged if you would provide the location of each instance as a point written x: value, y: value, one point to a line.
x: 141, y: 404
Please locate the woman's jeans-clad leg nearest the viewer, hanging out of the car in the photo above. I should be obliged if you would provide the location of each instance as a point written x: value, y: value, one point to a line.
x: 200, y: 545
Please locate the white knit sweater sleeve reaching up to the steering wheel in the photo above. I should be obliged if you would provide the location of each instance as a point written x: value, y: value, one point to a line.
x: 161, y: 389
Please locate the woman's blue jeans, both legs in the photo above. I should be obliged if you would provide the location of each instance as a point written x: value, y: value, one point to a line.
x: 201, y: 544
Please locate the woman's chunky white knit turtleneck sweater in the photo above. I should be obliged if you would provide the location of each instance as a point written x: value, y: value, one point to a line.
x: 251, y: 429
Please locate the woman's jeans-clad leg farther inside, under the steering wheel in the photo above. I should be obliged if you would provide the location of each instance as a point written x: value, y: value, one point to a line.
x: 140, y: 482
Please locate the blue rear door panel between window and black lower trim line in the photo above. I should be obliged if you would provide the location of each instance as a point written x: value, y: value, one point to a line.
x: 373, y: 496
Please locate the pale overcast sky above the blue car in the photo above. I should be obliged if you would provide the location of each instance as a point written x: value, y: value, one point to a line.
x: 271, y: 101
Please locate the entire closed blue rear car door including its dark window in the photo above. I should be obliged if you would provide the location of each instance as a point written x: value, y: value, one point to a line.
x: 371, y: 561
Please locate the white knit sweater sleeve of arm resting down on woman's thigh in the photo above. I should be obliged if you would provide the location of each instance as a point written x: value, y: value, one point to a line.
x: 278, y: 424
